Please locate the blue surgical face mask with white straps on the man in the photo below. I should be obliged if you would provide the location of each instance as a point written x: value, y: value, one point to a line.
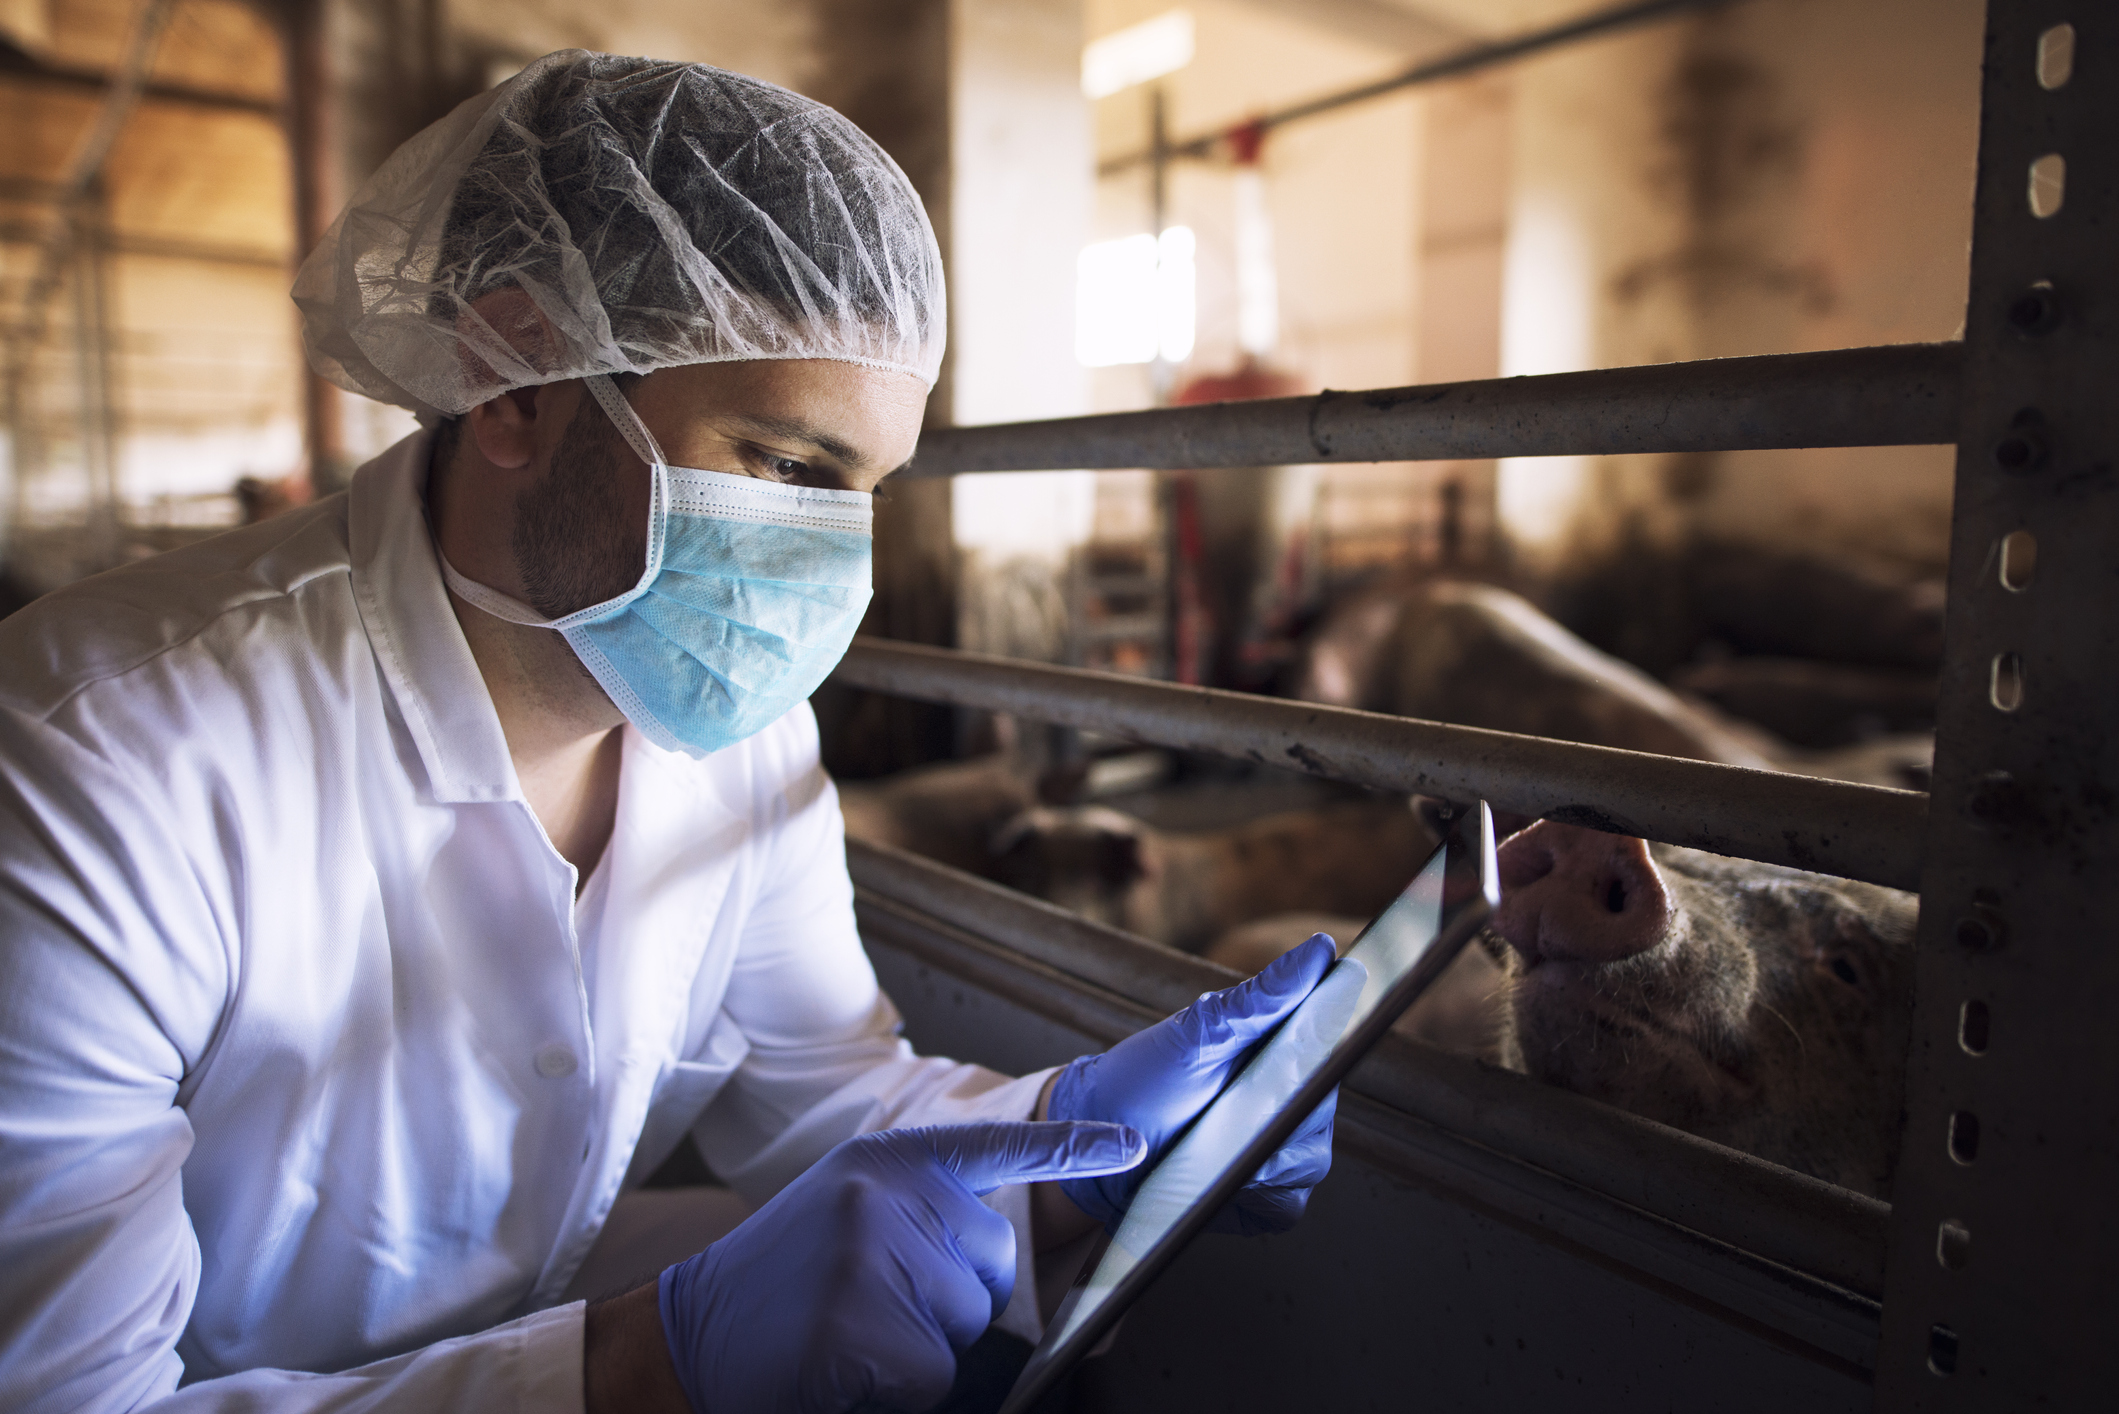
x: 749, y: 599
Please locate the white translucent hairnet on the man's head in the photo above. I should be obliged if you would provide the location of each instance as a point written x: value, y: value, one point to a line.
x: 601, y: 215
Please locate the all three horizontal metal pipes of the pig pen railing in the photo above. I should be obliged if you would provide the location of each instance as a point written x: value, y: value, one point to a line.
x: 1109, y: 983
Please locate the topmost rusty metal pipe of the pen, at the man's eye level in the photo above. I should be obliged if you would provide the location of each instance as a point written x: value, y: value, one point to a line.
x: 1853, y: 397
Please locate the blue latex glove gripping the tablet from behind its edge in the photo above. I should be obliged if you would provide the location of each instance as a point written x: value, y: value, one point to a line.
x: 1164, y: 1076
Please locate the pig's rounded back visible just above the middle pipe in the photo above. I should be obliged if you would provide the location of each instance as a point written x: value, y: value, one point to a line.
x: 1486, y: 658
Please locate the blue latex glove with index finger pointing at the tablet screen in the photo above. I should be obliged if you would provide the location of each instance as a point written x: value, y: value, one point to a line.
x: 861, y: 1282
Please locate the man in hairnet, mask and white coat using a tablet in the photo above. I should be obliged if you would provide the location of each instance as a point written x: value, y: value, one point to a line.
x: 387, y: 889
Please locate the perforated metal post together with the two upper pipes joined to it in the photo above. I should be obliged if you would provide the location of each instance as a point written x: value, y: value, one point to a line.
x: 1999, y: 1284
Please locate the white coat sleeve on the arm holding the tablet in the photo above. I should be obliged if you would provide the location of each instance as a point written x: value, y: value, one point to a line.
x: 825, y: 1055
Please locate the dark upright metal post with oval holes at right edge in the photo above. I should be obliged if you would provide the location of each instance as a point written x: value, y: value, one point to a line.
x: 2004, y: 1273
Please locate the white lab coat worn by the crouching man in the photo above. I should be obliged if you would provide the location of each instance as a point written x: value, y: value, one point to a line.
x: 302, y: 1061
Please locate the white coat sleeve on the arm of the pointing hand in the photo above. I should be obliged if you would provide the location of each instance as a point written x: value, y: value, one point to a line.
x: 113, y: 974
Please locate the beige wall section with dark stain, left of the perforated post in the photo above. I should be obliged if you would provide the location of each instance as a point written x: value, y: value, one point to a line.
x: 1777, y: 177
